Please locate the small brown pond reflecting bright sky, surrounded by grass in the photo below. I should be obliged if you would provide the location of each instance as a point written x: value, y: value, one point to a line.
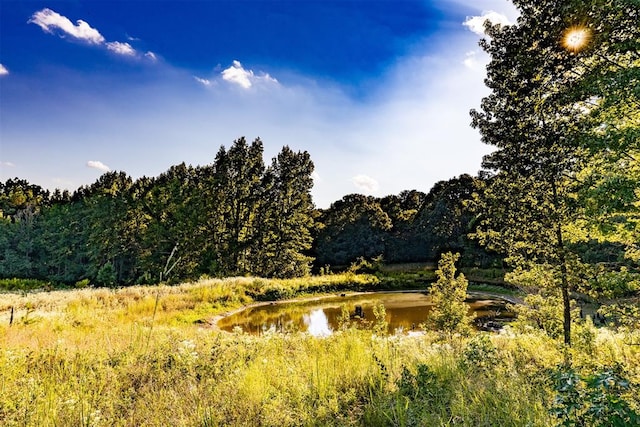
x: 405, y: 312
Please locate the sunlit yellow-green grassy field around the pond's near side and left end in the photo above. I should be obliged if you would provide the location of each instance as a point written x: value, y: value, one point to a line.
x: 147, y: 356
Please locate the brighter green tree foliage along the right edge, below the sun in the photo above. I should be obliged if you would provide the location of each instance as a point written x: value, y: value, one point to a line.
x: 605, y: 50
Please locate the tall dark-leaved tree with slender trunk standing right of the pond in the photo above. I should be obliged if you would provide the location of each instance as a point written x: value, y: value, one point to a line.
x: 538, y: 116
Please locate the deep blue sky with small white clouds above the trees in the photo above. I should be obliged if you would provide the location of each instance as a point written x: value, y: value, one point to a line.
x: 378, y: 92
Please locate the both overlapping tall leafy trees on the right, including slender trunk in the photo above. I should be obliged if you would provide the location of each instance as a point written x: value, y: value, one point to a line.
x: 547, y: 109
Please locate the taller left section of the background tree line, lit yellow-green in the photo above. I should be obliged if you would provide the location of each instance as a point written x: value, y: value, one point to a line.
x: 235, y: 216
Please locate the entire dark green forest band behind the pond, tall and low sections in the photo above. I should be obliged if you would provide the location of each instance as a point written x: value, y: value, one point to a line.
x: 233, y: 217
